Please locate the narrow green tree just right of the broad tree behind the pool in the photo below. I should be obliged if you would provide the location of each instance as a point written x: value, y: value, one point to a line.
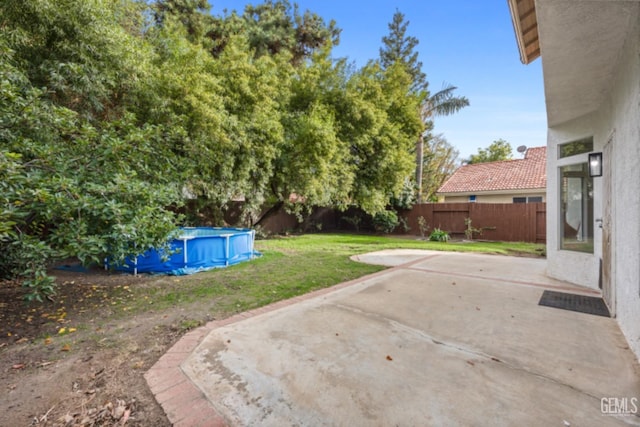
x: 314, y: 161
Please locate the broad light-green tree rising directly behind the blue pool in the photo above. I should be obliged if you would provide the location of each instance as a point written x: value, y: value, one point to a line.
x: 225, y: 117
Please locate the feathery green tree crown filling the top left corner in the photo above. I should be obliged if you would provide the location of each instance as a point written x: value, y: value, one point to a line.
x: 83, y: 56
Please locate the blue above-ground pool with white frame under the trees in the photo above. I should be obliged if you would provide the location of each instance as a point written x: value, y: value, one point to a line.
x: 197, y: 249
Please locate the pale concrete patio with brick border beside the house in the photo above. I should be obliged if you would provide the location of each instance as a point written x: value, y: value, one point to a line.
x: 439, y: 339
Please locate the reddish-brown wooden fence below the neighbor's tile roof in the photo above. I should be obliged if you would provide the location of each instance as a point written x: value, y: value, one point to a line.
x: 516, y: 222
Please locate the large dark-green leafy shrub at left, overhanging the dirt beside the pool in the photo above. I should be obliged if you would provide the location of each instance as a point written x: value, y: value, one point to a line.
x: 70, y: 188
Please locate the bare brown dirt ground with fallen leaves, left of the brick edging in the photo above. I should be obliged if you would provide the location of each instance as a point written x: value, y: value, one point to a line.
x: 76, y: 360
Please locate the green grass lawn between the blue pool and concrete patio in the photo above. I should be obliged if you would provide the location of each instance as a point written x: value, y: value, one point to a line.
x: 295, y: 265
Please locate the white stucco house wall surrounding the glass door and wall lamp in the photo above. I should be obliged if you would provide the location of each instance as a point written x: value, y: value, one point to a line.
x: 618, y: 119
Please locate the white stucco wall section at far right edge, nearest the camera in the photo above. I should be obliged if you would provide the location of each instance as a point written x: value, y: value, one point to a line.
x: 621, y: 115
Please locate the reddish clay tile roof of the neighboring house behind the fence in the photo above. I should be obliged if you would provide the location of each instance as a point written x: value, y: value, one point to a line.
x: 521, y: 174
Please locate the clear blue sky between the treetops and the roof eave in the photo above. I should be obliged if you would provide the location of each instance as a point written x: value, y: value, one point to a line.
x: 467, y: 43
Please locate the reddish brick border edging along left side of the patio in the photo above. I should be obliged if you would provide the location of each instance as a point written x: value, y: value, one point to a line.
x: 184, y: 404
